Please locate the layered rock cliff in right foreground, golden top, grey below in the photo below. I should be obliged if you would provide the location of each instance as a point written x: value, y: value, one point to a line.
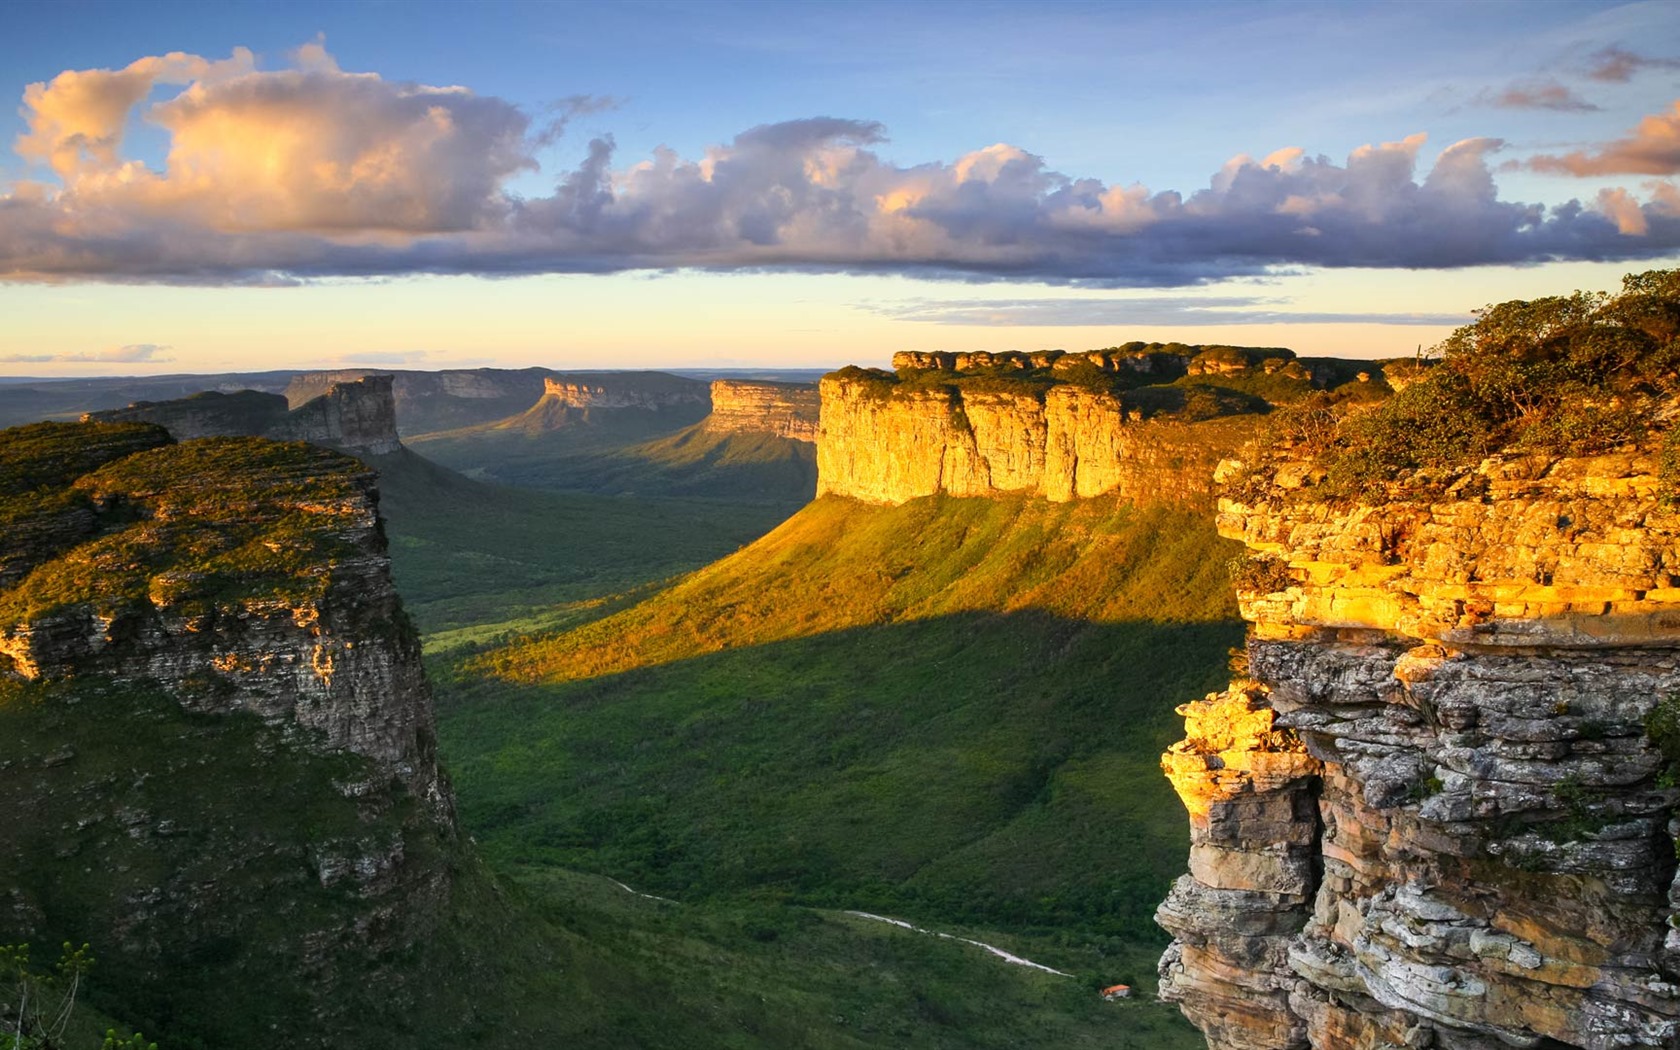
x: 1436, y: 816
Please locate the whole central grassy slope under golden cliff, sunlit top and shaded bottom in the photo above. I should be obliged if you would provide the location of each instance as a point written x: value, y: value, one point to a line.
x: 948, y: 711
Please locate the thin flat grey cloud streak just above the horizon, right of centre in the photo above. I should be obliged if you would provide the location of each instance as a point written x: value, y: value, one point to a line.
x: 1135, y: 312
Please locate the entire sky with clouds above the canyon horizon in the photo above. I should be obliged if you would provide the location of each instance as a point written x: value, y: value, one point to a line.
x: 223, y: 187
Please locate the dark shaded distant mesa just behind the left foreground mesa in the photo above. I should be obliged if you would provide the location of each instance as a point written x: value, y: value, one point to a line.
x: 357, y: 417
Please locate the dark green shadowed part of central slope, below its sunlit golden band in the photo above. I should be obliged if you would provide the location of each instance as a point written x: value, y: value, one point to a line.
x: 985, y: 769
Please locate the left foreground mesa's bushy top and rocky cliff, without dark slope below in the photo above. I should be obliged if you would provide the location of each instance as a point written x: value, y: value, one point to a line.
x: 238, y: 574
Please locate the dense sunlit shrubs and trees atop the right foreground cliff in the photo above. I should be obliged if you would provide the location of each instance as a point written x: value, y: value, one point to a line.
x: 1565, y: 375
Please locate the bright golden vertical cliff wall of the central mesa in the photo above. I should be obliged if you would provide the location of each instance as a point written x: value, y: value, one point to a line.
x: 1068, y: 444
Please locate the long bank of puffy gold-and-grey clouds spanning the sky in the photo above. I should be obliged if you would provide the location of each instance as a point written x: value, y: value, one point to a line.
x: 313, y: 172
